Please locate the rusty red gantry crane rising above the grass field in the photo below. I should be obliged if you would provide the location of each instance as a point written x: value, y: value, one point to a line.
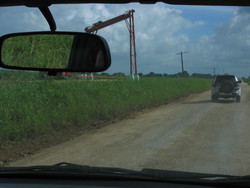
x: 128, y: 16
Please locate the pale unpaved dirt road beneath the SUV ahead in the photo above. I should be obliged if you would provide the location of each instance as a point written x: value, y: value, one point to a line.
x: 192, y: 135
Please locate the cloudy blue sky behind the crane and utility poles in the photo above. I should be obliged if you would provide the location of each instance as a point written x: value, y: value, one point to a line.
x: 213, y: 37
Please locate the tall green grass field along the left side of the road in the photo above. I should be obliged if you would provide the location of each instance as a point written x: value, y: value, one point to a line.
x: 32, y: 108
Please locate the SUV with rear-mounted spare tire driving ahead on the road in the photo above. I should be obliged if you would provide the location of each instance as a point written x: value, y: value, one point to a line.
x: 226, y: 86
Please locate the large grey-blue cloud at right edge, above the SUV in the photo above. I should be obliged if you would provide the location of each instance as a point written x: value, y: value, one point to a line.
x: 230, y: 44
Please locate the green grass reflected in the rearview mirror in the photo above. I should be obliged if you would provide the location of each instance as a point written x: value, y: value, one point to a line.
x: 39, y: 51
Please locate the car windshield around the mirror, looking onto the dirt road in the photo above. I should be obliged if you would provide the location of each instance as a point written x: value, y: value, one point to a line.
x: 153, y: 108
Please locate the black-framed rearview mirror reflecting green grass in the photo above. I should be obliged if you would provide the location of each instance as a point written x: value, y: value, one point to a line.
x: 55, y: 51
